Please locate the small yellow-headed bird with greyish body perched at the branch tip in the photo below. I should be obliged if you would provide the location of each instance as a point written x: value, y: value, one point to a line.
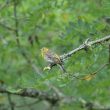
x: 52, y: 58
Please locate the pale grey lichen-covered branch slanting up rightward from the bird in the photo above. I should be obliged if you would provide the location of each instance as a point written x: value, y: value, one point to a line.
x: 84, y: 46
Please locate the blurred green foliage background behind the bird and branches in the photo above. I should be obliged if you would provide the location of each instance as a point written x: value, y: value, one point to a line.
x: 60, y: 25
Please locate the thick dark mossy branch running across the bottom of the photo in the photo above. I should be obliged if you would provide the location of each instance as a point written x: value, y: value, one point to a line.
x: 52, y: 99
